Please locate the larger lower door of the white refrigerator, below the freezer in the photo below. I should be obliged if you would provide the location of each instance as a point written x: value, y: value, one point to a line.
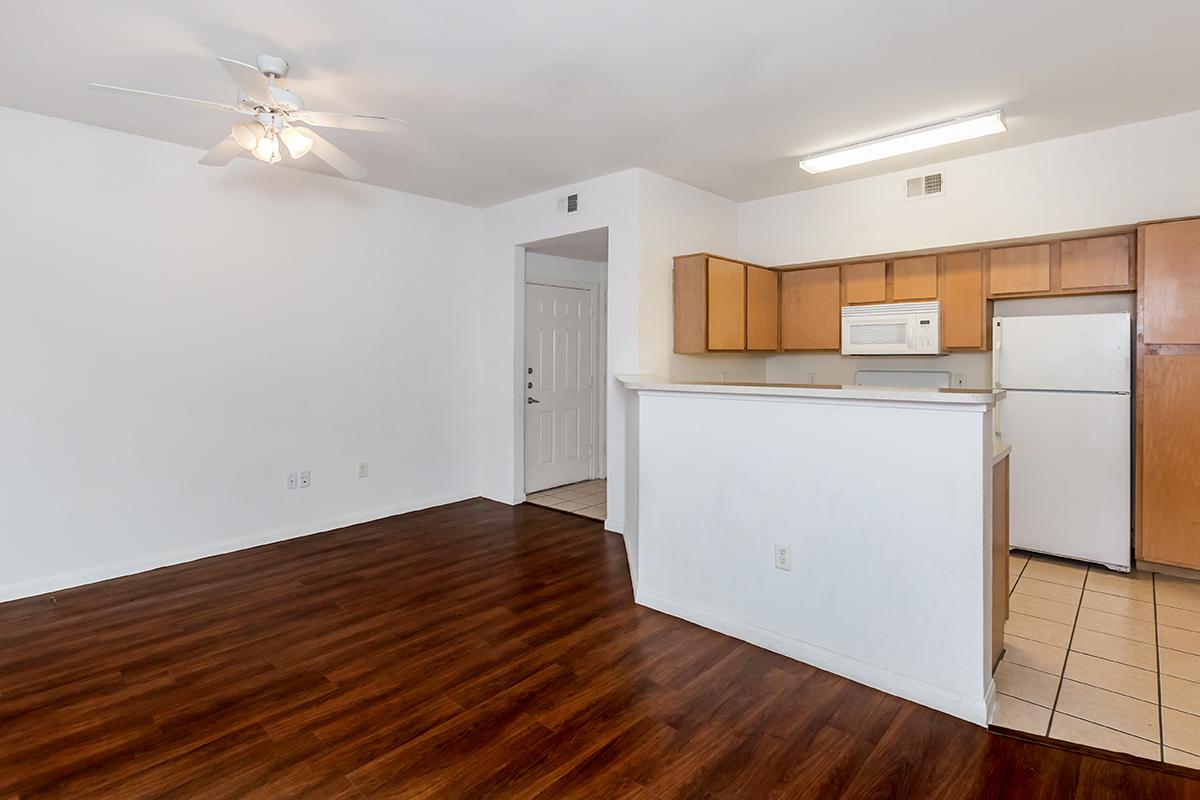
x: 1070, y: 474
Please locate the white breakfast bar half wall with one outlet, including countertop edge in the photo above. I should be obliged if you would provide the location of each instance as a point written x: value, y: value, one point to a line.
x: 845, y: 527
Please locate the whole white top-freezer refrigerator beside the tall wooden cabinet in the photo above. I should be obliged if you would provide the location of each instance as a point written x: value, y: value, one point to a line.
x: 1067, y: 416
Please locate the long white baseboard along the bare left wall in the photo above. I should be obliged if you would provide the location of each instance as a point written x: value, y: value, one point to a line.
x: 119, y: 569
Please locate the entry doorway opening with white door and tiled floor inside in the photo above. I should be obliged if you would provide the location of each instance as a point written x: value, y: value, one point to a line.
x: 565, y: 372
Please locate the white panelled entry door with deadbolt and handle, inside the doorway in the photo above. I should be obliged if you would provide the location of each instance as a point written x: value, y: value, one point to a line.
x: 559, y: 380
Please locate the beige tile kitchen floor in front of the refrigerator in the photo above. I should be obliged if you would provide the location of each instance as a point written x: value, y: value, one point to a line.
x: 1102, y: 659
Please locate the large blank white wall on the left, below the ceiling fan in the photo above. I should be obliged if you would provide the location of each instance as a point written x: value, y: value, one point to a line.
x: 177, y: 339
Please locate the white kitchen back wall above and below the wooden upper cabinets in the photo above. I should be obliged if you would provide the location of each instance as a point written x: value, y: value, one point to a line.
x: 1108, y: 178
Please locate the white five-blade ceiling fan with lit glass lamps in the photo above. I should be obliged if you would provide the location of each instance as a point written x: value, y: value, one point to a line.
x: 275, y: 112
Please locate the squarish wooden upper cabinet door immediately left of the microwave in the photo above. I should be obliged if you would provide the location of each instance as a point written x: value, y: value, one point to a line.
x: 811, y: 310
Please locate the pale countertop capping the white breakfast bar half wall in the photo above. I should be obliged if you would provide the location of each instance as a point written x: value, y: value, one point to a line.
x: 831, y: 392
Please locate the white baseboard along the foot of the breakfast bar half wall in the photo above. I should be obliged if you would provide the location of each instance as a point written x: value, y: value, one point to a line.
x: 973, y: 709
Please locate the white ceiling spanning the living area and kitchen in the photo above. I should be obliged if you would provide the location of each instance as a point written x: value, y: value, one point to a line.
x: 508, y: 99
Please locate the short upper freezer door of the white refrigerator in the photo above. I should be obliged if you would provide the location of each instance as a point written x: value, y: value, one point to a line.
x: 1069, y: 352
